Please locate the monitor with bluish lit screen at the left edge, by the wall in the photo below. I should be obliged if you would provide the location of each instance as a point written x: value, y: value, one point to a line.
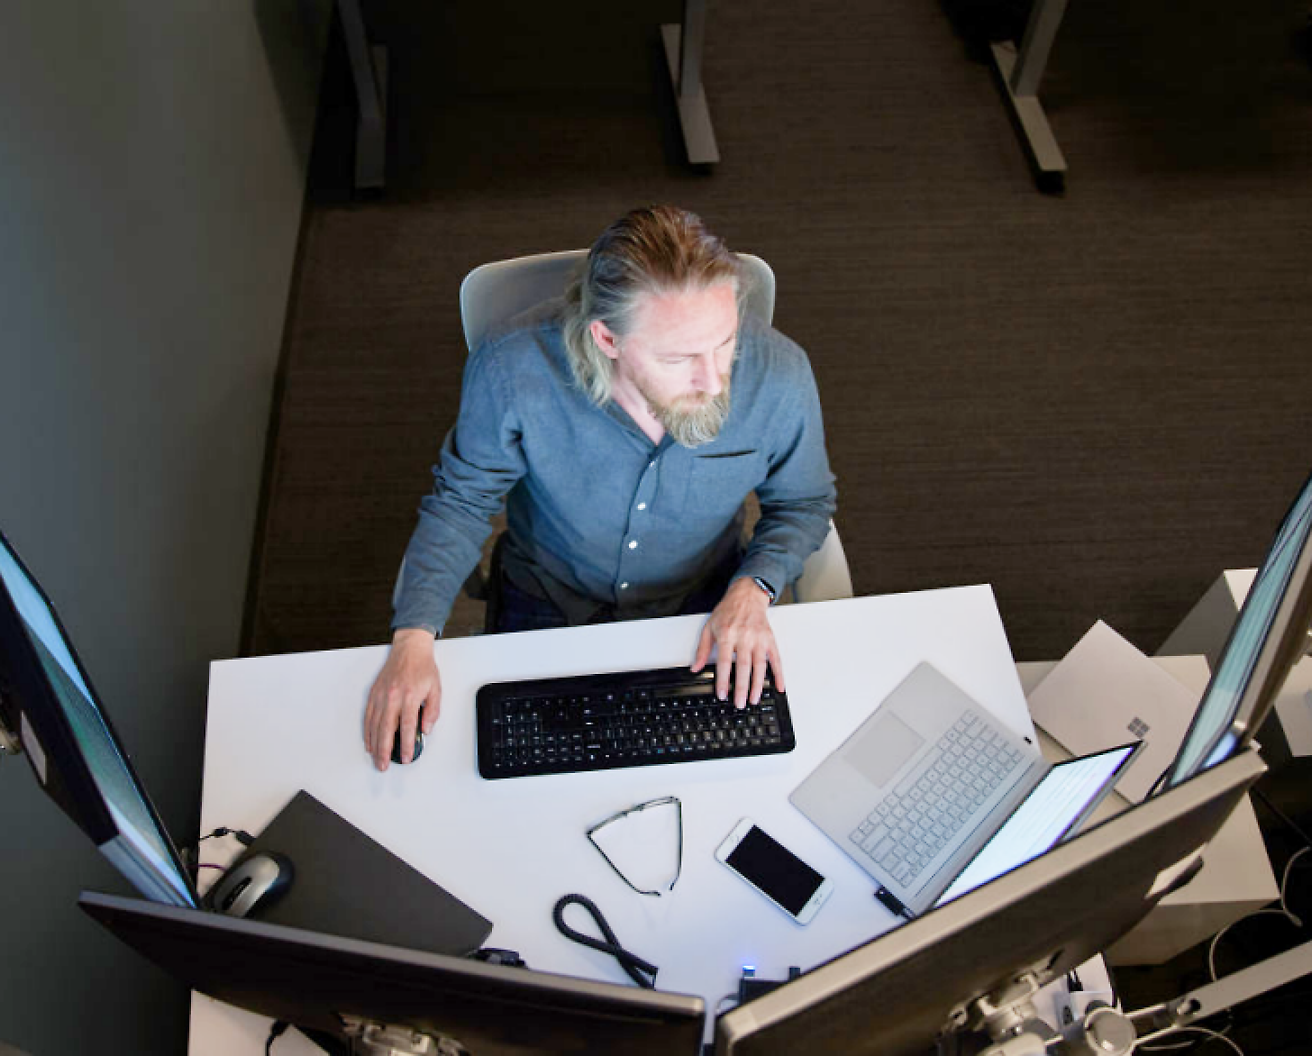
x: 49, y: 706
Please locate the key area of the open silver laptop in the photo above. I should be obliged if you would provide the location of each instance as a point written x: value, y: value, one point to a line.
x: 915, y: 822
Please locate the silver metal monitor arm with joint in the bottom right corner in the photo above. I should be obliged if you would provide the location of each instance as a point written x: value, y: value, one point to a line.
x: 1011, y: 1021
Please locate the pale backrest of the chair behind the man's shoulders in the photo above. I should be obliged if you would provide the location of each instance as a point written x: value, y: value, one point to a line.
x: 506, y: 288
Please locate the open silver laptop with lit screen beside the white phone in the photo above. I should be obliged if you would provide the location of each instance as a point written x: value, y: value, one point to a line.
x: 933, y: 790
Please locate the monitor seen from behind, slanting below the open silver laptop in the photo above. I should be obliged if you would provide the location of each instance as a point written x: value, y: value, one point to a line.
x: 895, y: 995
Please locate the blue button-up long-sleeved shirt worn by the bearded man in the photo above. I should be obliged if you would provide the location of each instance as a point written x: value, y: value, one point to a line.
x: 598, y: 515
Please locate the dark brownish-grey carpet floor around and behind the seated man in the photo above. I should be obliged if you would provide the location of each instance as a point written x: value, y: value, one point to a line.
x: 1094, y: 402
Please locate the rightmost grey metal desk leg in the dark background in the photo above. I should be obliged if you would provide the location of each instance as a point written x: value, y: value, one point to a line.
x: 1020, y: 74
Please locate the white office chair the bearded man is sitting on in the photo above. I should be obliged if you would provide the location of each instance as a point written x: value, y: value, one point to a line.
x: 499, y: 291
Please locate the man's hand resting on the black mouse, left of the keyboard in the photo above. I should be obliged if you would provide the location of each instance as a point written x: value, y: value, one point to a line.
x: 409, y: 679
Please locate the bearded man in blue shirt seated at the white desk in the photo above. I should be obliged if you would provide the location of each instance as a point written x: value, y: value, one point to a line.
x: 624, y: 427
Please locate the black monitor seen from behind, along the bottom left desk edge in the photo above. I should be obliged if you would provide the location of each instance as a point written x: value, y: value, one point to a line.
x: 323, y: 983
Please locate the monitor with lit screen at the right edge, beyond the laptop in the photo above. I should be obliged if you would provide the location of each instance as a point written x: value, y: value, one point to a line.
x: 1268, y: 638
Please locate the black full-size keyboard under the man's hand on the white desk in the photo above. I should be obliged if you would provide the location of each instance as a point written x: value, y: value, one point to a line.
x: 605, y: 722
